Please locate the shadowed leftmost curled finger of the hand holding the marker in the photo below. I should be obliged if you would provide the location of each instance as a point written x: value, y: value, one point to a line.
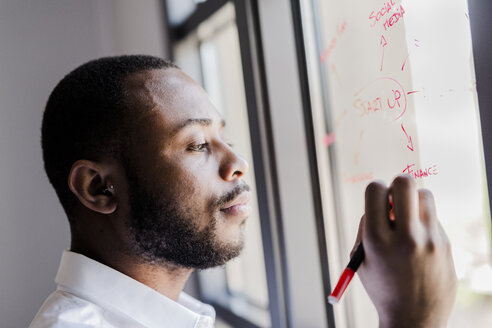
x: 377, y: 212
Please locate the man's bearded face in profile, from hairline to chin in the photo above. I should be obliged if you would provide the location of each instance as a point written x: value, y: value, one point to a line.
x: 187, y: 200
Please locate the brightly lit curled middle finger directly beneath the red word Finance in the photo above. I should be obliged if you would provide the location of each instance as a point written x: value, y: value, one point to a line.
x: 405, y: 205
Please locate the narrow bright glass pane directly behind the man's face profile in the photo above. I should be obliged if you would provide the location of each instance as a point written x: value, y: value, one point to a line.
x: 223, y: 80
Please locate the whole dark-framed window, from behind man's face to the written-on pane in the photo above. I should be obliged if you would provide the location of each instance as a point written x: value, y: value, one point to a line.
x: 335, y: 94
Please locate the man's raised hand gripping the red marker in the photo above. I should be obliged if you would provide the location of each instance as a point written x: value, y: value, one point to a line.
x: 408, y: 269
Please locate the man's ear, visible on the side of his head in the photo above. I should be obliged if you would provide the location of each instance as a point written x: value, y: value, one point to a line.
x: 90, y: 183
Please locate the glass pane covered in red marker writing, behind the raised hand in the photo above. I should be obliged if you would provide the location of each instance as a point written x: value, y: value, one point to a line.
x: 396, y: 83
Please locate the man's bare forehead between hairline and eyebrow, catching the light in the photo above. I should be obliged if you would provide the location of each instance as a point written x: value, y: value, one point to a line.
x: 171, y: 95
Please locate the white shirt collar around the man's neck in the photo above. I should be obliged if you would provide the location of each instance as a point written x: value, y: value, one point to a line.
x: 112, y: 289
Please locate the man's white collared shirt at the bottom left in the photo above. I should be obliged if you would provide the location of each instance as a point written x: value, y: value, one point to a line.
x: 91, y: 294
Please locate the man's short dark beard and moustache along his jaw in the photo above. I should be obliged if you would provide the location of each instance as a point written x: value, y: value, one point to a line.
x: 164, y: 230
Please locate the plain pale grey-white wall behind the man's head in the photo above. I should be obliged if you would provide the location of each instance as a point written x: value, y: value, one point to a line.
x: 40, y: 42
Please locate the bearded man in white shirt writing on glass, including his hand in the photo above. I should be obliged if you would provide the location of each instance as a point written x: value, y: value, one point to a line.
x: 140, y: 161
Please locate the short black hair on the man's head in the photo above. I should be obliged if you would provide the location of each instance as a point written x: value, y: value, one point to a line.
x: 86, y: 115
